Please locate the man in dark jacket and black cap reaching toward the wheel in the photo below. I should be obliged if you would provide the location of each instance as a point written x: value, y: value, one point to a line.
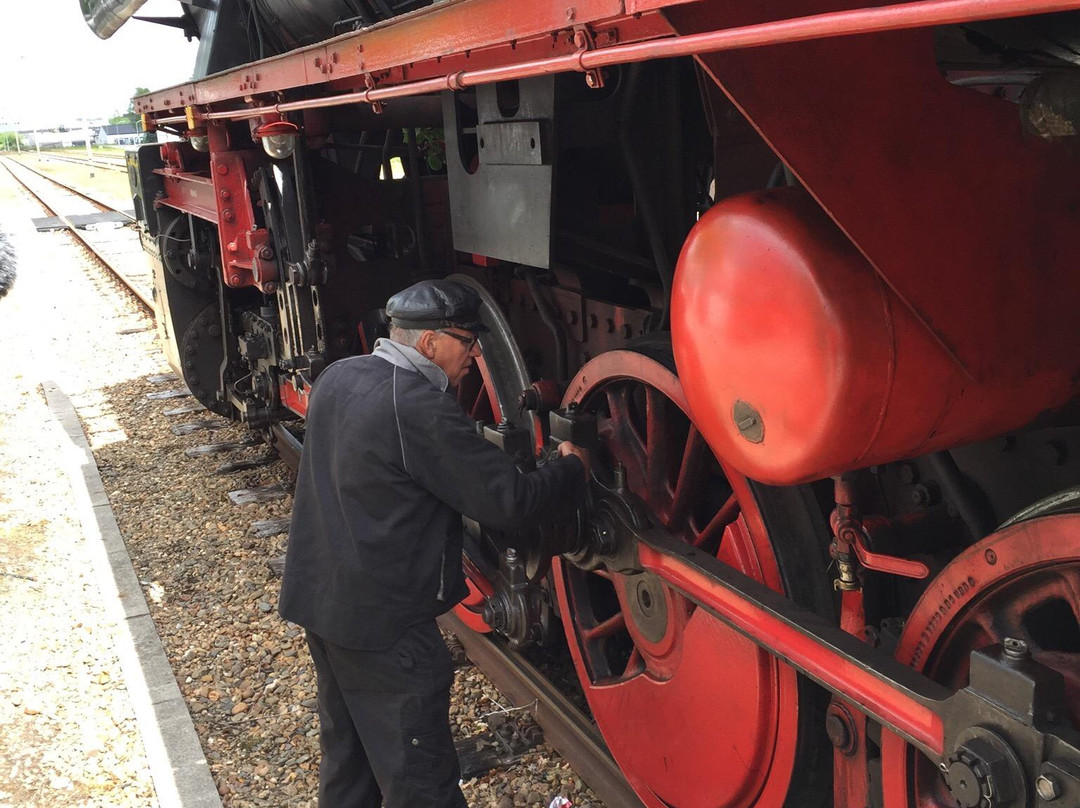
x: 390, y: 465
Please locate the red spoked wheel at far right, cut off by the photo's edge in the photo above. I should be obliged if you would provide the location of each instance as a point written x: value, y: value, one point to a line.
x: 994, y: 589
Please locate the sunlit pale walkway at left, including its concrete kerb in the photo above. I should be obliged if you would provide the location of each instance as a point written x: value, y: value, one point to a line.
x: 92, y: 715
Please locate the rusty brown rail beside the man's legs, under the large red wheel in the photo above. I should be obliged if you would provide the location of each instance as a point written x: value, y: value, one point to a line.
x: 565, y: 728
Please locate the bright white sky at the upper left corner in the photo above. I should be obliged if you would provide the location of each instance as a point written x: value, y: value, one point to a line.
x: 53, y: 70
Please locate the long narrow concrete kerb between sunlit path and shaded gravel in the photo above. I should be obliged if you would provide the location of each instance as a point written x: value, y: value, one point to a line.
x: 178, y: 763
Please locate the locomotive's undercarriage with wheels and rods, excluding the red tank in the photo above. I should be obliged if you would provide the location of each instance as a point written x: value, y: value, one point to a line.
x: 732, y: 638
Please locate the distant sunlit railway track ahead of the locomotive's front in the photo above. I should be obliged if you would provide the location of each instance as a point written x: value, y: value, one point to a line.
x: 117, y: 250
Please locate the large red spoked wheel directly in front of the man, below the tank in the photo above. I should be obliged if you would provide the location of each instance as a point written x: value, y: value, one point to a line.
x: 696, y: 715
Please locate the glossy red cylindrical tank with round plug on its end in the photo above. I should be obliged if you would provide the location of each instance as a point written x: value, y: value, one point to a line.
x: 800, y: 361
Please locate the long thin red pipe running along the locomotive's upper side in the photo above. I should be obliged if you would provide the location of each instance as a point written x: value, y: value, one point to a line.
x: 855, y: 22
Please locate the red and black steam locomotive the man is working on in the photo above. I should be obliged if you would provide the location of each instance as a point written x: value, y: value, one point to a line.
x: 799, y: 272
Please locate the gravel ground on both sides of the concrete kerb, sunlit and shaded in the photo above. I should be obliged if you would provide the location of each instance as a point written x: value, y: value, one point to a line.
x: 245, y: 674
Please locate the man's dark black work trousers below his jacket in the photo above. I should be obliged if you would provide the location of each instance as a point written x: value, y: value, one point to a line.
x: 385, y: 724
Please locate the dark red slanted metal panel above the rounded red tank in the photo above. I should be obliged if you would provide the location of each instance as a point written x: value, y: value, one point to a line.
x: 871, y: 129
